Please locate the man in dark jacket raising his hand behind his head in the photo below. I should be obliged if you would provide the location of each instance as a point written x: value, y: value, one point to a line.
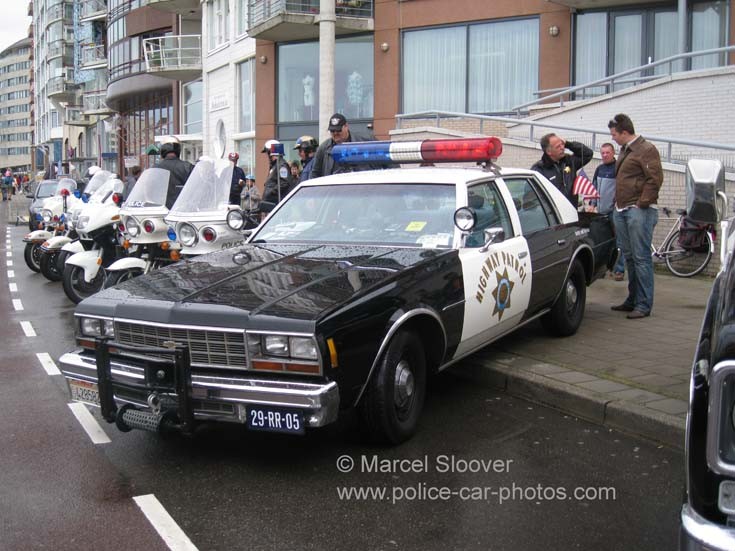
x: 558, y: 167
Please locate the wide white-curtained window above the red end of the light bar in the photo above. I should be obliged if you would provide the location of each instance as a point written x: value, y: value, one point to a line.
x: 502, y: 56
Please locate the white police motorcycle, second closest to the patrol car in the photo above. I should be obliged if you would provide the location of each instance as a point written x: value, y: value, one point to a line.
x: 142, y: 222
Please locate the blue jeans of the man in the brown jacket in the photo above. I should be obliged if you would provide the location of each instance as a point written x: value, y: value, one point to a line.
x: 634, y: 227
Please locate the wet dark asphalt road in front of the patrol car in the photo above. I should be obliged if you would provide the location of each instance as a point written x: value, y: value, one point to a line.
x: 523, y: 476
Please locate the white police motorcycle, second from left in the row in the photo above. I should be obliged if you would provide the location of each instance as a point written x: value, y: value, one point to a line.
x: 57, y: 249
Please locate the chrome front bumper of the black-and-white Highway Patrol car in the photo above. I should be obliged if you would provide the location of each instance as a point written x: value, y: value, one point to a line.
x: 211, y: 398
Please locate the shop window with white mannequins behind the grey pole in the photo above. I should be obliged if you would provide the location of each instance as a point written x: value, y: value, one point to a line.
x: 298, y: 79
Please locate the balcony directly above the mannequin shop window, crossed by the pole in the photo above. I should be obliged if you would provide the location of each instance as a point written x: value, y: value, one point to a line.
x: 279, y: 20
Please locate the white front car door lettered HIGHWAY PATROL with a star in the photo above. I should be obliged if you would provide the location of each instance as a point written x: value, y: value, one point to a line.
x: 497, y: 282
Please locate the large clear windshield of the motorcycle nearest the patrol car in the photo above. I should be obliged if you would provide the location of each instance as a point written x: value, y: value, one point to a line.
x: 207, y: 189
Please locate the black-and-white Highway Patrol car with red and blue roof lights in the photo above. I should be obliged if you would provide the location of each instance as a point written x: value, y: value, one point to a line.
x: 353, y: 291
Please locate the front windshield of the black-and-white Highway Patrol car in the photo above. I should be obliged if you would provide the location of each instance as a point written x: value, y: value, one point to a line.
x: 419, y: 215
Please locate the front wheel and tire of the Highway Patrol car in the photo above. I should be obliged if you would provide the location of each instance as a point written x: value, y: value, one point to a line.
x: 390, y: 412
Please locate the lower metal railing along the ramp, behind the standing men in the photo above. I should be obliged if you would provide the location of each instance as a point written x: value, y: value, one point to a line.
x: 672, y: 150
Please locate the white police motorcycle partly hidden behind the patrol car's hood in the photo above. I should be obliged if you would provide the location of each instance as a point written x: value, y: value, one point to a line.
x: 198, y: 220
